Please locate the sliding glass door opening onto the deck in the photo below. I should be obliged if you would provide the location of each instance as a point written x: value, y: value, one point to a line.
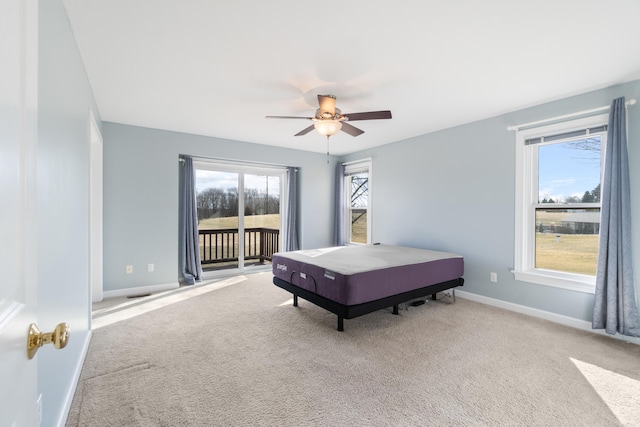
x: 239, y: 218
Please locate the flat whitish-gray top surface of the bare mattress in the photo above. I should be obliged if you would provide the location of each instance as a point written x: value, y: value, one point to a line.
x: 355, y: 259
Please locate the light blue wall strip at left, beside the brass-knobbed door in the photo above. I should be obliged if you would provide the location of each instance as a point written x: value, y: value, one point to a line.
x: 65, y: 98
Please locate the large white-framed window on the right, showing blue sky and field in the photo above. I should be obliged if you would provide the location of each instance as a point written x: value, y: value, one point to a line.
x: 559, y: 170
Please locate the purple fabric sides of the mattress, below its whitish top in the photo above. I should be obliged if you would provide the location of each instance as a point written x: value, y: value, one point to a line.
x: 367, y: 286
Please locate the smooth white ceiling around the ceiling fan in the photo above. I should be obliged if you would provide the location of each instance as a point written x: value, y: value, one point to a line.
x: 216, y: 68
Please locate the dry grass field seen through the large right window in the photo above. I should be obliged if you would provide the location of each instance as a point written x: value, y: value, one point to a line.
x: 563, y: 251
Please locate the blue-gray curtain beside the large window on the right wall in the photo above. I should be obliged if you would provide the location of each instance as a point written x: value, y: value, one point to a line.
x: 615, y: 306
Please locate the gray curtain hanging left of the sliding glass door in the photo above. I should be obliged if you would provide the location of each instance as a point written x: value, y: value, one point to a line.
x: 191, y: 268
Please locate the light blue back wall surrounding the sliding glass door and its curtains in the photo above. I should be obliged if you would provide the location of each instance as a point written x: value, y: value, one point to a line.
x: 141, y: 196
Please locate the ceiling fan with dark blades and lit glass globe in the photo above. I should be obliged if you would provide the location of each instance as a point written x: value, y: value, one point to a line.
x: 329, y: 120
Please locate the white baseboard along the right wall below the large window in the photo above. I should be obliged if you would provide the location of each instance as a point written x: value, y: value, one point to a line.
x: 541, y: 314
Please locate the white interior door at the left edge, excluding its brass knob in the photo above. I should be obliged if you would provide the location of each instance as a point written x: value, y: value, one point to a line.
x: 18, y: 141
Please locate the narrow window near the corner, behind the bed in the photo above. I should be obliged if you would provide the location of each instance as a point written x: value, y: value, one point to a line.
x: 357, y: 190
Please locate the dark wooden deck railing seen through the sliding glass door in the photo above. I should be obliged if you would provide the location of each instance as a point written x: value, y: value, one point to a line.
x: 221, y: 246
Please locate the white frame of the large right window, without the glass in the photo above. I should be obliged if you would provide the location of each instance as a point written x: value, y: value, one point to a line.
x: 526, y: 201
